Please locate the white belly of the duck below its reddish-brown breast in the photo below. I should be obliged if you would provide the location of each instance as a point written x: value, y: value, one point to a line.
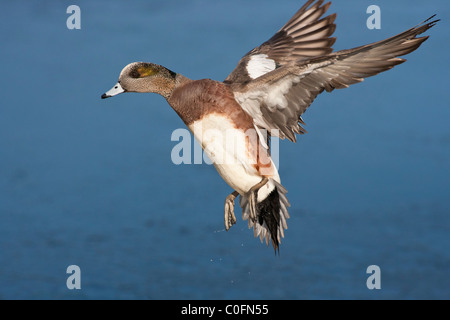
x: 226, y: 146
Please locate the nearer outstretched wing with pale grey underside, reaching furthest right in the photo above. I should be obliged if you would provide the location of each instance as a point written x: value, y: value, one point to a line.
x: 277, y: 99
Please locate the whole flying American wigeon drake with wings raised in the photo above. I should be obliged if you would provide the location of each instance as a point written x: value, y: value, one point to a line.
x: 266, y: 95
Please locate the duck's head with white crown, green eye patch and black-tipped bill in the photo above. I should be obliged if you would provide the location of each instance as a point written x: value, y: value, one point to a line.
x: 144, y: 77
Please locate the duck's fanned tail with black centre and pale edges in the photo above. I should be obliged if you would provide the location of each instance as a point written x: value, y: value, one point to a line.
x: 271, y: 214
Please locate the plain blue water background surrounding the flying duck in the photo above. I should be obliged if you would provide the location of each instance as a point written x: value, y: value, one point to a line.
x: 90, y: 182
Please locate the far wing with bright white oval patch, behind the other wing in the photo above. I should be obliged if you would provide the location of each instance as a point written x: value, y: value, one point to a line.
x: 302, y: 37
